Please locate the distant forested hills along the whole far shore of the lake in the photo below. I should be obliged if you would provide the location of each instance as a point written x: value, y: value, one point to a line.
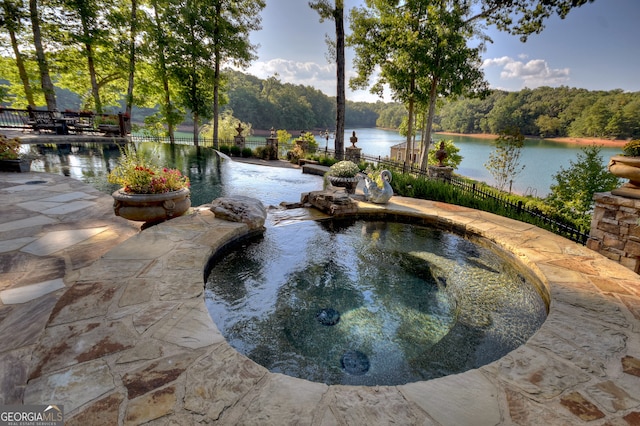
x: 542, y: 112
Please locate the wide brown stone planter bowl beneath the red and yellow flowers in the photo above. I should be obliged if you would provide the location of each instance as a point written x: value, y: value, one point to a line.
x: 151, y: 207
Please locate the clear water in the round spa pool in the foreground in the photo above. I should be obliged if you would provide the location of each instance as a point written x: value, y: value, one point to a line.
x: 370, y: 303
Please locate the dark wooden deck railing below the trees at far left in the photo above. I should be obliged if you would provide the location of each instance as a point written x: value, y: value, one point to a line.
x: 66, y: 122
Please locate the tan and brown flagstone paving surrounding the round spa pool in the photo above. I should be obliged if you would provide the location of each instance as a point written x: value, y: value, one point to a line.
x: 128, y: 340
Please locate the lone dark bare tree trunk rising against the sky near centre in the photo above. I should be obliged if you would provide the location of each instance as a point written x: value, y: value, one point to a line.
x: 340, y: 77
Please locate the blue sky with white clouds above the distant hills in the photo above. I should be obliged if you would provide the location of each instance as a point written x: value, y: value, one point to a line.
x: 596, y: 47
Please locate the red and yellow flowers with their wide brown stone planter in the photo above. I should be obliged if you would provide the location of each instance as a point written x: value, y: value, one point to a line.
x: 148, y: 192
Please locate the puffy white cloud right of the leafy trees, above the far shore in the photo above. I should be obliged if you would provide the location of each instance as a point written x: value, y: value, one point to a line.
x: 534, y: 73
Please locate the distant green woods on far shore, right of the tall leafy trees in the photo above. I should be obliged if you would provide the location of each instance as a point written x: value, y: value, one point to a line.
x: 547, y: 112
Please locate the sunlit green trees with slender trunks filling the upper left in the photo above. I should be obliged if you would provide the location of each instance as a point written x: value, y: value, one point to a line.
x: 164, y: 54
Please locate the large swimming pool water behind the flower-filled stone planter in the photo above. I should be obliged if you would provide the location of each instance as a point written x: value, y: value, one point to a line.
x: 210, y: 176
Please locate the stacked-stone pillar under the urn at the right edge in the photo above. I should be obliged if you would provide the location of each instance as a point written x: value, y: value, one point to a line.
x: 615, y: 232
